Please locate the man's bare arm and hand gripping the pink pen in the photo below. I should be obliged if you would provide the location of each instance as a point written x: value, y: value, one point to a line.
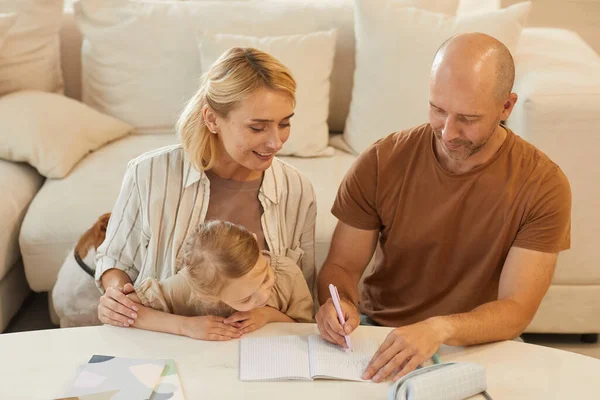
x: 350, y: 253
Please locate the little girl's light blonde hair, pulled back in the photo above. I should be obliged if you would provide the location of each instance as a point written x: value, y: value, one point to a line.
x: 215, y: 252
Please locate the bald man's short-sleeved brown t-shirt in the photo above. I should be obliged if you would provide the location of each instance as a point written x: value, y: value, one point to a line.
x: 444, y: 237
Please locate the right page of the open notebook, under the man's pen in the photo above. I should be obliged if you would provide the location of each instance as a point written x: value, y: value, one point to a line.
x: 331, y: 361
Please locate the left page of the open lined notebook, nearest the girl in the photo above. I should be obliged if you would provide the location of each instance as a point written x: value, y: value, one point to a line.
x: 274, y: 358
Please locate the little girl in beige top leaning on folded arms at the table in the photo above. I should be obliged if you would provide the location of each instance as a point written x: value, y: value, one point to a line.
x: 225, y: 287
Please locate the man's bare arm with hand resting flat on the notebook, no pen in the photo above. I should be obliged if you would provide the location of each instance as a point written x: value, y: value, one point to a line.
x: 526, y: 276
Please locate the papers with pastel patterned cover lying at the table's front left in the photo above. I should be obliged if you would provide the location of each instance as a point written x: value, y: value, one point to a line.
x: 116, y: 378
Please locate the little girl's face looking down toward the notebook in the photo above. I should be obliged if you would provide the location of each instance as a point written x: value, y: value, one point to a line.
x: 251, y: 290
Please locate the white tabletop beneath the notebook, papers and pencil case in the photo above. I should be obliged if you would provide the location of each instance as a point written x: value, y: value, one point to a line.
x: 42, y: 364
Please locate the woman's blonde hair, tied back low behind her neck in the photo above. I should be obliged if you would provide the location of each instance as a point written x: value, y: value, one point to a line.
x: 236, y: 74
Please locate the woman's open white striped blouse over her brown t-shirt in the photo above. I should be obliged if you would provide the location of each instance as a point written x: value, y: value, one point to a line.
x: 163, y: 195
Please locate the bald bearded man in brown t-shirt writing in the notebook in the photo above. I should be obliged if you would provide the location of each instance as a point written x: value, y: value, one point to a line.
x: 470, y: 218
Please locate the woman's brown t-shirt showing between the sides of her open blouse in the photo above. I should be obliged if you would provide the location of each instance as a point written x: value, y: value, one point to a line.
x: 236, y: 202
